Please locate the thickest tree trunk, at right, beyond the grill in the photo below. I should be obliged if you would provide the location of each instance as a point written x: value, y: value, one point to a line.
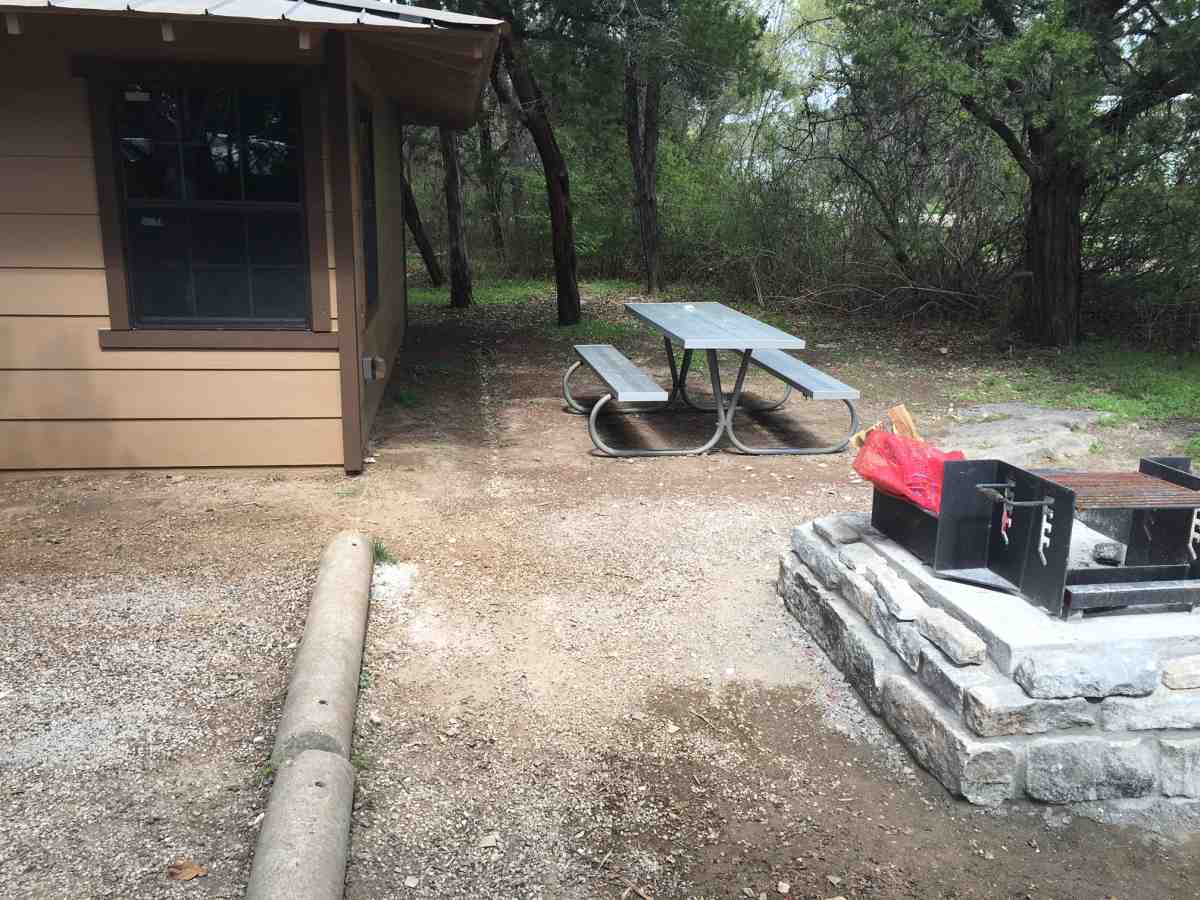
x: 1054, y: 257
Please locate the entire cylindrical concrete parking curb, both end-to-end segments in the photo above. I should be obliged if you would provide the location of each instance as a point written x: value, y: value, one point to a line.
x: 304, y: 843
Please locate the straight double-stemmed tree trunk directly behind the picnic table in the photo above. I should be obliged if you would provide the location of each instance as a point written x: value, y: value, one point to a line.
x: 643, y: 134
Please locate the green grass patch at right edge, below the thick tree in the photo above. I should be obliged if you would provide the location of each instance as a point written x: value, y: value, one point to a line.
x: 1126, y: 385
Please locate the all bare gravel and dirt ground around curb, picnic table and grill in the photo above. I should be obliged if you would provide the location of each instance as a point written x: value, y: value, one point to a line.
x: 579, y: 682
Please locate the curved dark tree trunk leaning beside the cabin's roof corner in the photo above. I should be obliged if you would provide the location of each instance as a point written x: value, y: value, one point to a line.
x: 530, y: 107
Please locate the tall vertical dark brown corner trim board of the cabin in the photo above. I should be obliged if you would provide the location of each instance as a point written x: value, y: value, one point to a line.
x: 341, y: 164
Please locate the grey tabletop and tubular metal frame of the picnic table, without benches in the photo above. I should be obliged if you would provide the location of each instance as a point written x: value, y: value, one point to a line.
x: 707, y: 327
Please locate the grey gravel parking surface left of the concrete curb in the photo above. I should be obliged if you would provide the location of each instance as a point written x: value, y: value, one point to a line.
x: 137, y: 721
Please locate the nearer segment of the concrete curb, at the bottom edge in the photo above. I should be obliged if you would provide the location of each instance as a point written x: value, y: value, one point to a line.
x: 305, y: 838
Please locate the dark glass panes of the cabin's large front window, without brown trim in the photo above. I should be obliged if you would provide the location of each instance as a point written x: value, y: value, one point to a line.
x: 214, y: 220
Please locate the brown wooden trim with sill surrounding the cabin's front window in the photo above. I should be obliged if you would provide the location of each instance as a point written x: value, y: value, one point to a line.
x: 104, y: 79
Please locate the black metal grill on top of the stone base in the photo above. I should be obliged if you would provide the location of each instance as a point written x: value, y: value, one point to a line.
x: 1007, y: 529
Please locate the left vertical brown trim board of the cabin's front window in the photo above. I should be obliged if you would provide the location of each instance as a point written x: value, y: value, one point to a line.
x: 112, y: 232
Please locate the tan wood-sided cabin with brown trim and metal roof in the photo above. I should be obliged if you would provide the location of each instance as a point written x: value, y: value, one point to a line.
x: 202, y: 236
